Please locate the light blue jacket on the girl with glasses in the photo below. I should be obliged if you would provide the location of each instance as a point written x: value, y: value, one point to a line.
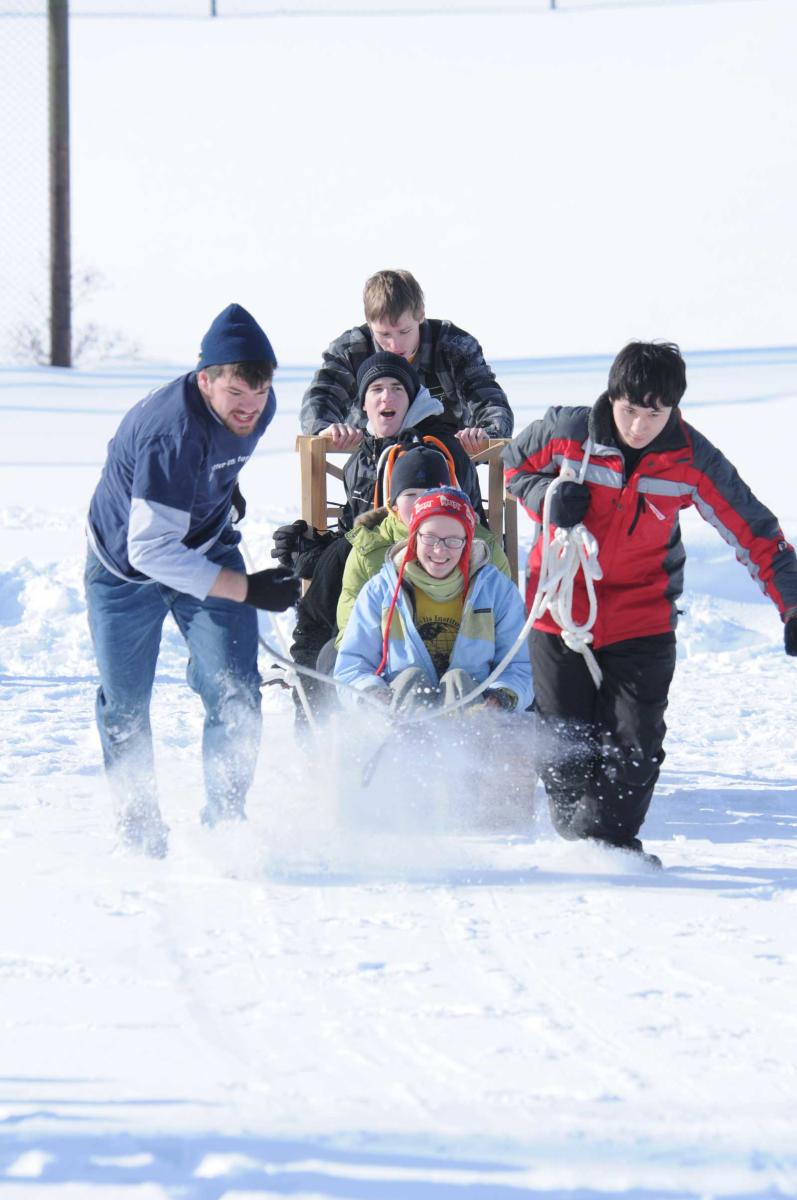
x: 493, y: 617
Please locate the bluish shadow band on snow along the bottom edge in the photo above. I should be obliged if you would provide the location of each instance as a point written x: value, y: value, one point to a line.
x: 206, y: 1167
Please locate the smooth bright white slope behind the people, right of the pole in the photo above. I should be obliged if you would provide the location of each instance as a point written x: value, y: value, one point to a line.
x: 559, y: 183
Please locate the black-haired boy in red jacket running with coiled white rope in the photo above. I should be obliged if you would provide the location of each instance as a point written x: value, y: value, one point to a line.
x: 603, y: 747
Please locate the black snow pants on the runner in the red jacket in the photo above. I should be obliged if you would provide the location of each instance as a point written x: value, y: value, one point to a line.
x: 601, y: 749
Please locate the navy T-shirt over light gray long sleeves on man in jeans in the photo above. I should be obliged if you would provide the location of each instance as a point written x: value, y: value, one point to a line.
x: 164, y: 497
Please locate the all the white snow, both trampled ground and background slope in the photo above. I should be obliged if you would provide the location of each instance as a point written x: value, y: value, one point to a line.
x: 386, y: 998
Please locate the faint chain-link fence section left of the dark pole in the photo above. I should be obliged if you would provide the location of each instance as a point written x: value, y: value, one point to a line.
x: 25, y: 227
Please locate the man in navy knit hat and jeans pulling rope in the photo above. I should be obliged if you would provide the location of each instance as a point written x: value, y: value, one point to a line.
x: 161, y: 542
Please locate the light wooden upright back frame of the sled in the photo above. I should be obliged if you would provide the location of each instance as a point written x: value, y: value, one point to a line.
x: 316, y: 509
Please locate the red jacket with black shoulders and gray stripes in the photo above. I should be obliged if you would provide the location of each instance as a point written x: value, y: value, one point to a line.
x: 636, y: 520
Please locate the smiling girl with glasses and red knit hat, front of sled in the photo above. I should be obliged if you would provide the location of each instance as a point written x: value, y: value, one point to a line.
x: 438, y: 619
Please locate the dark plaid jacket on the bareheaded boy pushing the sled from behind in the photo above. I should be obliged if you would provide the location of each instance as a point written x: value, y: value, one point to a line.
x: 450, y: 362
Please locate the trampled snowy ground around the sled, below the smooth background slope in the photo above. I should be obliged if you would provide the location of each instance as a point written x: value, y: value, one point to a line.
x: 399, y: 1006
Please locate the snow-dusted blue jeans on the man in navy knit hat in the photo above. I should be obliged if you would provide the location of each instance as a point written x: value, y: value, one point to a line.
x: 127, y: 621
